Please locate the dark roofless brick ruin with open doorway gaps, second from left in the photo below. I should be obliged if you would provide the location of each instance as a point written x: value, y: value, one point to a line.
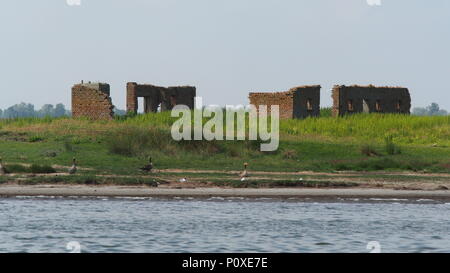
x: 157, y: 96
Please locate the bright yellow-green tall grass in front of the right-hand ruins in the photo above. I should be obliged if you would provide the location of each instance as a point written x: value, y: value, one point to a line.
x: 374, y: 127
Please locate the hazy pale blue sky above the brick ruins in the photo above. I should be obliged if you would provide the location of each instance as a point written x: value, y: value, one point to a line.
x: 226, y: 48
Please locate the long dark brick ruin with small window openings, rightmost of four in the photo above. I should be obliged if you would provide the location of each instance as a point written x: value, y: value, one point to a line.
x: 370, y: 99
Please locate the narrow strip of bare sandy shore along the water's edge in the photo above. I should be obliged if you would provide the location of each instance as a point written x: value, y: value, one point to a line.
x: 125, y: 191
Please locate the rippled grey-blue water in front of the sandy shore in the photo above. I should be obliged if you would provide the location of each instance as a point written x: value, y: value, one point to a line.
x: 223, y: 225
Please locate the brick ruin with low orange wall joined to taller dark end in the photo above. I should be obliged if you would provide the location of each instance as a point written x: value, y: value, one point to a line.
x: 298, y: 102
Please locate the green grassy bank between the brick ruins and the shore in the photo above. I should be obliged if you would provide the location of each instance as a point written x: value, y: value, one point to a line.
x: 361, y: 142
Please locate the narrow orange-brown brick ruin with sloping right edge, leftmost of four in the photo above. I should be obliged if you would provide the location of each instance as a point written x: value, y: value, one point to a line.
x: 92, y: 100
